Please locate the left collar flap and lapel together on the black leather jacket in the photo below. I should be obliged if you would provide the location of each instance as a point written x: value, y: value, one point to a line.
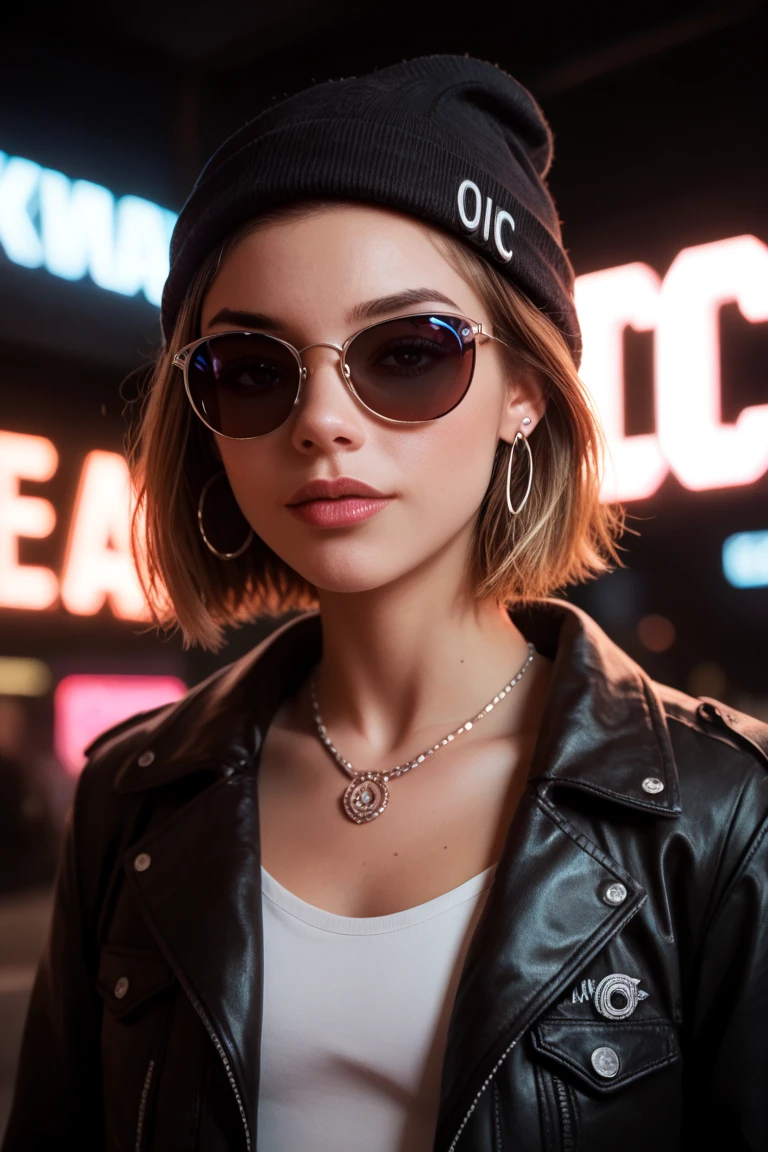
x: 201, y: 893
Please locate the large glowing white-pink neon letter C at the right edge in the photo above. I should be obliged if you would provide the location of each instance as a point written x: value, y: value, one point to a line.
x: 703, y: 452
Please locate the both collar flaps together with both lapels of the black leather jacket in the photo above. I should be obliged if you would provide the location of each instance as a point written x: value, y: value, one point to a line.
x: 604, y: 732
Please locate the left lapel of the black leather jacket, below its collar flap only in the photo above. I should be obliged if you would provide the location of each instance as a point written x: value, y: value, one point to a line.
x: 197, y: 881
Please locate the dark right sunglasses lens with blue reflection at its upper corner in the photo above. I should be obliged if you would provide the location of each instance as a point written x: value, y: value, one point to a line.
x: 416, y: 368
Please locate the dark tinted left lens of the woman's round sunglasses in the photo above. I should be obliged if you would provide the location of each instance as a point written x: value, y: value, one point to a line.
x: 244, y: 384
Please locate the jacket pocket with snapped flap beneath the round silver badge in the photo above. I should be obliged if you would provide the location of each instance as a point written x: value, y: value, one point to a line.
x: 602, y: 1085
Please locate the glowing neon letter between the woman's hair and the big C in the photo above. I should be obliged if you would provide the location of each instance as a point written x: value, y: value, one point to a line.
x: 607, y: 304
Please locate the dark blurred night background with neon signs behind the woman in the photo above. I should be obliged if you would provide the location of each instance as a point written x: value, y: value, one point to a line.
x: 108, y: 115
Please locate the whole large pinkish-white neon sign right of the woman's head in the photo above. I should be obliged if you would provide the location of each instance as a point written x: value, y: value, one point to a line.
x: 682, y: 310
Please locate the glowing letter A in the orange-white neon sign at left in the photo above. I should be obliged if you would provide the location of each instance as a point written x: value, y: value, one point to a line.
x: 100, y: 562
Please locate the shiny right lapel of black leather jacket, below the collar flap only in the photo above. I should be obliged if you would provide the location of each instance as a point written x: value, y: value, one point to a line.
x: 543, y: 923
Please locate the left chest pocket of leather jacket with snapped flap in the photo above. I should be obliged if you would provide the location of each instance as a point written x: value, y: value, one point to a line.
x: 135, y: 987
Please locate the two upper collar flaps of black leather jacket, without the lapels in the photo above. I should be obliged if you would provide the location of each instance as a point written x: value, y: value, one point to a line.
x: 603, y: 730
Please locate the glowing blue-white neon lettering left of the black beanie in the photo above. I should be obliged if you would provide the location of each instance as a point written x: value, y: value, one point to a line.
x: 74, y: 229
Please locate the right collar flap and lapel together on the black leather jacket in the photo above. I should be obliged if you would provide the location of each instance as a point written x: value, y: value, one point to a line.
x: 603, y: 732
